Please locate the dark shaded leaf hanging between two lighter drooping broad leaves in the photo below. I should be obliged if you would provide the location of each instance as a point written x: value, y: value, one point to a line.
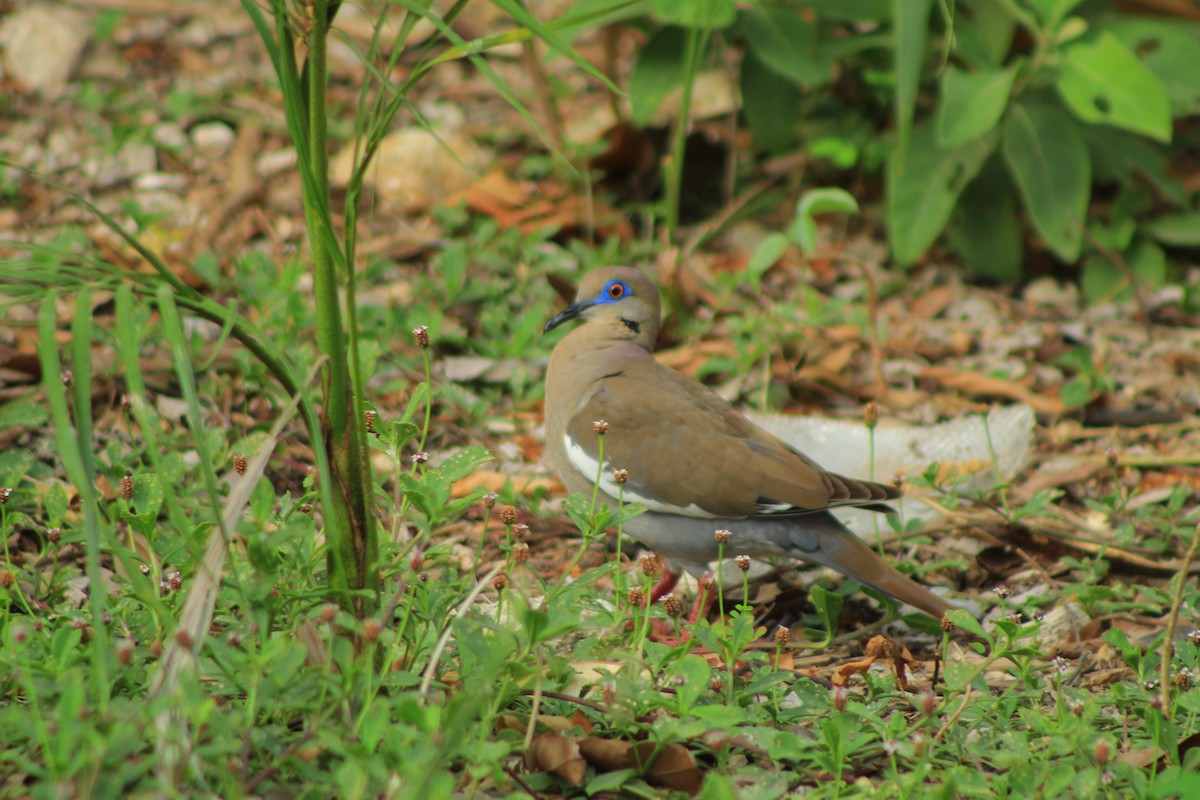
x: 986, y: 230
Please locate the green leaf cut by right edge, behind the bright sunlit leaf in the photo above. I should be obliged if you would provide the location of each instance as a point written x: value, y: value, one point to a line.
x: 1169, y: 50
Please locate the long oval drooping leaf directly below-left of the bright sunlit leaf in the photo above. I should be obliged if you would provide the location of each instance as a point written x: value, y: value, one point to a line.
x: 1048, y: 159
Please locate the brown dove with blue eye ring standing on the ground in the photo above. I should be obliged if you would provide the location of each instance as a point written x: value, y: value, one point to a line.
x: 694, y: 461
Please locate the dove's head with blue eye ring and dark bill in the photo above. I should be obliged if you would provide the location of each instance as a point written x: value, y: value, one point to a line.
x: 619, y: 303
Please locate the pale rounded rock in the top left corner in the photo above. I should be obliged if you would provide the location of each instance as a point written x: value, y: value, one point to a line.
x: 43, y: 45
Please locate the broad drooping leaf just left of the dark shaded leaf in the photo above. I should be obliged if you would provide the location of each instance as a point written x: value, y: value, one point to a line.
x: 923, y: 188
